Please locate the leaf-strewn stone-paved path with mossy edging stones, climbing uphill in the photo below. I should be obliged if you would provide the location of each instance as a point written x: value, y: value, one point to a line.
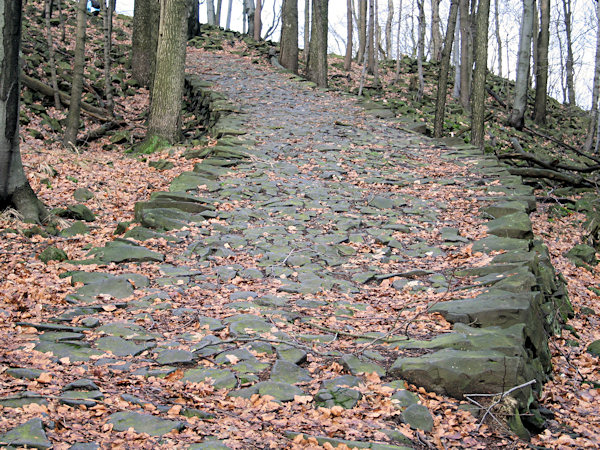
x: 294, y: 262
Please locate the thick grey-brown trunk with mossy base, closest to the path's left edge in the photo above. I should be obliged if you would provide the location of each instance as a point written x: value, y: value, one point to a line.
x: 167, y: 91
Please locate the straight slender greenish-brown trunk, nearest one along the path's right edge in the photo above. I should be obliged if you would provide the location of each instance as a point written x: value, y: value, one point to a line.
x: 479, y: 73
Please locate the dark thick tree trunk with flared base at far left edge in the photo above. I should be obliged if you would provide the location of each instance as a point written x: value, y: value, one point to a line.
x: 15, y: 190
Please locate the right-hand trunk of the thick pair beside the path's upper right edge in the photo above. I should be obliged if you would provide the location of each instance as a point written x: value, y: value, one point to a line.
x: 317, y: 60
